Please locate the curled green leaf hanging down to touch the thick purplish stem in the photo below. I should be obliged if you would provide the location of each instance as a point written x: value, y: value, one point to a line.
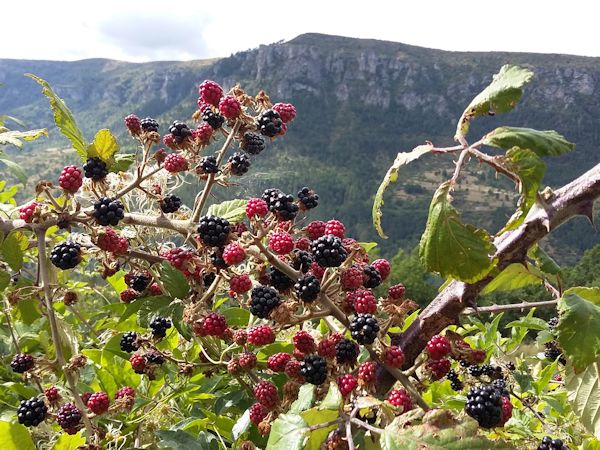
x: 530, y: 169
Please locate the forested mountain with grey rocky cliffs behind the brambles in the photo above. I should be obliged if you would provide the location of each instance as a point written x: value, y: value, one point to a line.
x: 359, y: 102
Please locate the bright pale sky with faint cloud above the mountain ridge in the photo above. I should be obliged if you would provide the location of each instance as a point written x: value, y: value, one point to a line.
x: 149, y: 30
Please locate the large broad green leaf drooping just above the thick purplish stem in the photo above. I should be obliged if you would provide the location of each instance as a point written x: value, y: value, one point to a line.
x: 451, y: 248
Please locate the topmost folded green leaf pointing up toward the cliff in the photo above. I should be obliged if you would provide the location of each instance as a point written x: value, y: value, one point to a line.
x: 501, y: 95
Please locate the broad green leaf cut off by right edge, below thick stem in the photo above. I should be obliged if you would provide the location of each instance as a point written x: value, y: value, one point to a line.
x: 579, y: 326
